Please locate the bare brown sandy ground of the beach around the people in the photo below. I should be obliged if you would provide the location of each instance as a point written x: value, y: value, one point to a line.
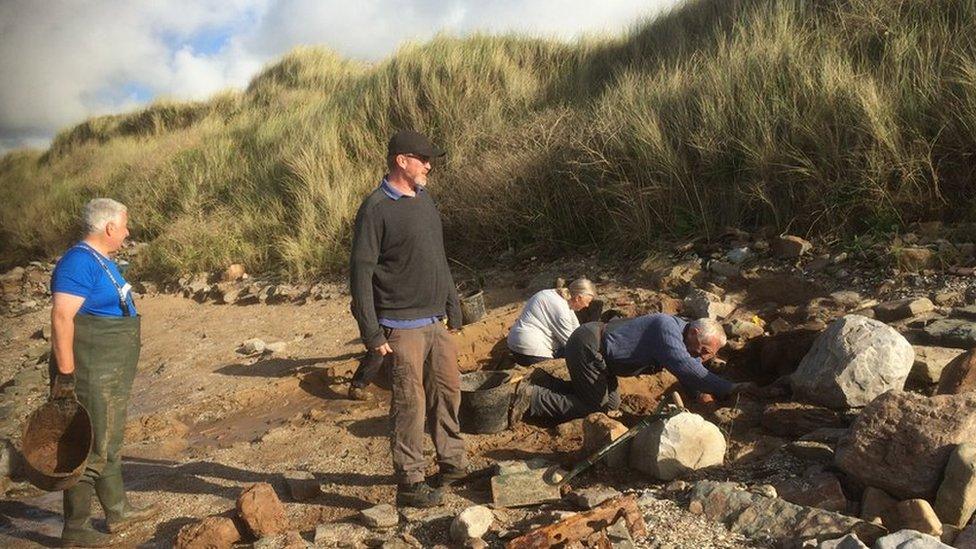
x: 205, y: 420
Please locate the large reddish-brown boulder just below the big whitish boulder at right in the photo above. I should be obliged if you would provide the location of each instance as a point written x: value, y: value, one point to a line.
x: 902, y: 441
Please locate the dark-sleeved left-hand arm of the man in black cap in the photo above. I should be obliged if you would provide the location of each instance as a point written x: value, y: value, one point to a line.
x: 363, y: 259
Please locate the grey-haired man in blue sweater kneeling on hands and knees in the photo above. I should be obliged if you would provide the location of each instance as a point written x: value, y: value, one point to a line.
x: 597, y: 354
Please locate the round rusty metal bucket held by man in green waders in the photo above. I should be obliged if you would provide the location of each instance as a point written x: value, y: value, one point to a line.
x: 56, y: 441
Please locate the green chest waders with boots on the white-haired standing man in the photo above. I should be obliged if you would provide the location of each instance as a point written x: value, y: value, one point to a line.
x: 106, y: 351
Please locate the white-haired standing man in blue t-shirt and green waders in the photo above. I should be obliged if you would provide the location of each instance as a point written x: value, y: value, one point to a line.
x: 95, y: 349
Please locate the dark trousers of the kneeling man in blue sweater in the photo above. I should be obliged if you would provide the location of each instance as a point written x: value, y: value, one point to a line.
x: 592, y: 388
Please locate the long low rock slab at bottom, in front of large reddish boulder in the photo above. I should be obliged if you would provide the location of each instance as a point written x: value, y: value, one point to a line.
x: 755, y: 515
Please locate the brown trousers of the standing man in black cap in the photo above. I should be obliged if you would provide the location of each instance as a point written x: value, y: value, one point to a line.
x: 426, y: 391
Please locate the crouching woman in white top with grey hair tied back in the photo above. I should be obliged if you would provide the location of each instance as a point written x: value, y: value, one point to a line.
x: 546, y: 322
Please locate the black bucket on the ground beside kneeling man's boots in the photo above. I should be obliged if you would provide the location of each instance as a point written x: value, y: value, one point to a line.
x: 485, y: 399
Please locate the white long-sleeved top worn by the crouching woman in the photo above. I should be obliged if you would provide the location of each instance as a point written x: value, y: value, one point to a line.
x: 544, y: 326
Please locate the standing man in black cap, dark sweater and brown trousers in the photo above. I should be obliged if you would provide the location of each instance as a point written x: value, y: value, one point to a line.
x: 401, y: 290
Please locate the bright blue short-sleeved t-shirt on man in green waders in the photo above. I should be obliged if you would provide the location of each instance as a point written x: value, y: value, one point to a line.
x: 79, y: 273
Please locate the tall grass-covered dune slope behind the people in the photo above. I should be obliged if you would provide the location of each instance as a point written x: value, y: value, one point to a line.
x: 816, y: 116
